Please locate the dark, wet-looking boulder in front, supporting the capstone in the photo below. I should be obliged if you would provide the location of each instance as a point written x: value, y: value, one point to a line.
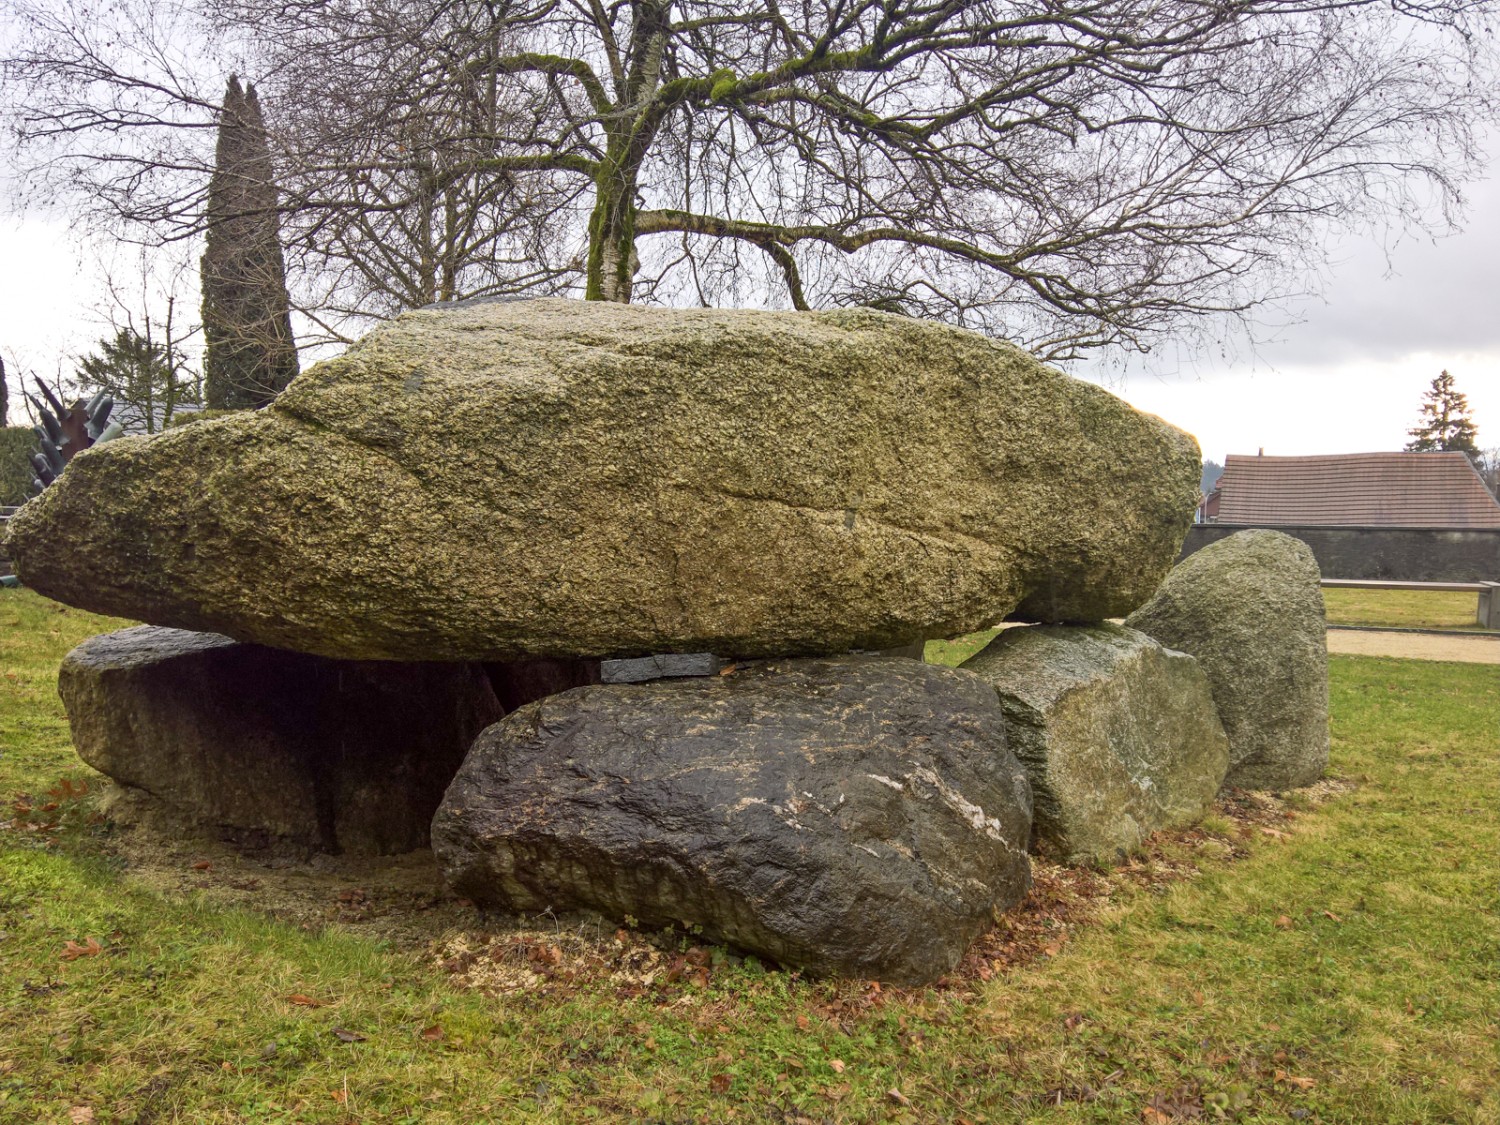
x: 854, y: 817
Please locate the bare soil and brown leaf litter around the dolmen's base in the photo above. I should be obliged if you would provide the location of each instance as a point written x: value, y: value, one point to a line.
x: 403, y: 901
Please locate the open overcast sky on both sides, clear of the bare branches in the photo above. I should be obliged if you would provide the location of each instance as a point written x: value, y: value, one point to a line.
x: 1346, y: 379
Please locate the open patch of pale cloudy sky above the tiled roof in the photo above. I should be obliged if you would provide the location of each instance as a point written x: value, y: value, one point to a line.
x: 1349, y: 377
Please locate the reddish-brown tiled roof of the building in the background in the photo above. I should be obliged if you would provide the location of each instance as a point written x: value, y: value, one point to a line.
x: 1381, y: 490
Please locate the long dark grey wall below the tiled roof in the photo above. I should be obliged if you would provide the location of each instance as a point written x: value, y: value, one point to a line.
x: 1394, y: 554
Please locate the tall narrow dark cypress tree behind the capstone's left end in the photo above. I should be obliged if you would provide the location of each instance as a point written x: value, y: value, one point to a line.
x: 247, y: 314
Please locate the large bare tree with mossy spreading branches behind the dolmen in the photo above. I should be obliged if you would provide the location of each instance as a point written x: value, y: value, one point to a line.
x: 1069, y: 173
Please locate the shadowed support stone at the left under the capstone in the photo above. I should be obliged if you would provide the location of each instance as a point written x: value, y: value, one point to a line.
x: 335, y: 755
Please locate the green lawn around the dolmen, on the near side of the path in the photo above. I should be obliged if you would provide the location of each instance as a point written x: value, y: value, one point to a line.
x: 1339, y: 962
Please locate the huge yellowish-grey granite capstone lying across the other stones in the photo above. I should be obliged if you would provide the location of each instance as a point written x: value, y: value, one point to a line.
x: 574, y: 479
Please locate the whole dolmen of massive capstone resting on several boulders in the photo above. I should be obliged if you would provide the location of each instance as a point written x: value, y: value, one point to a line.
x: 614, y: 610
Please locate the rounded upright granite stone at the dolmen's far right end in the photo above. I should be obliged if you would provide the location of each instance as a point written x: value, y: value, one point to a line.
x: 1250, y: 608
